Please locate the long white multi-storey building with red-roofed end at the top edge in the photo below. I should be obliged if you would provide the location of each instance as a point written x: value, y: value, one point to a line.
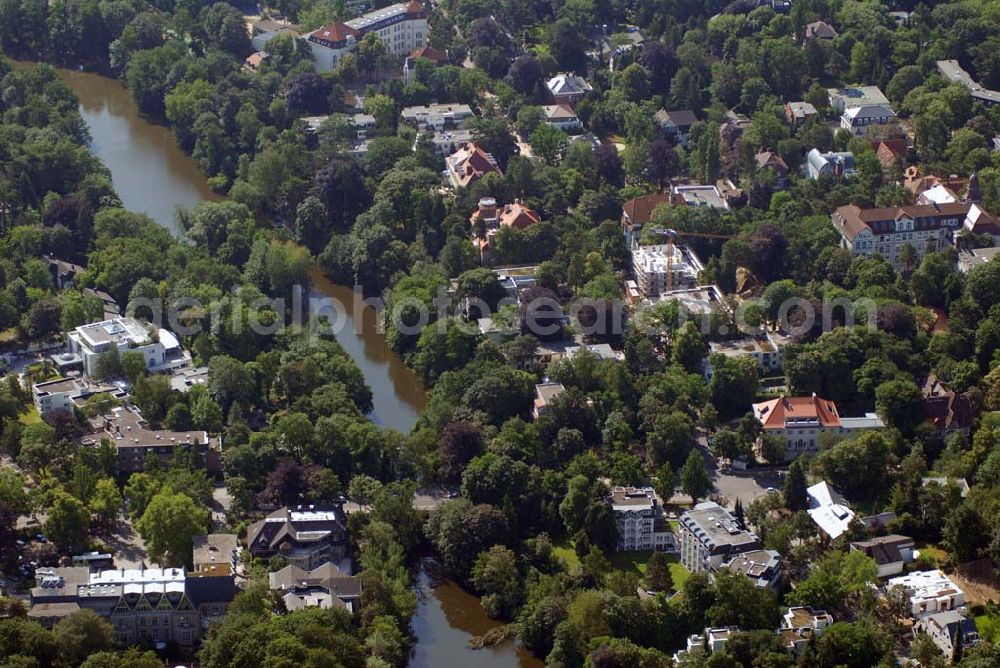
x: 401, y: 27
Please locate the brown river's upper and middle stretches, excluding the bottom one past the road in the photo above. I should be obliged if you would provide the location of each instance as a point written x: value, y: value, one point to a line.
x: 153, y: 175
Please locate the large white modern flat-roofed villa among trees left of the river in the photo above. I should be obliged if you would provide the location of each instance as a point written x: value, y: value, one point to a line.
x: 159, y: 347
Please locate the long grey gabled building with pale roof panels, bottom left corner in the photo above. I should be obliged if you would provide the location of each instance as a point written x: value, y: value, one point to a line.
x: 144, y: 605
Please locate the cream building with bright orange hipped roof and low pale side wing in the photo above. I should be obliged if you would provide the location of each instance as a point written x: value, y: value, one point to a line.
x: 801, y: 420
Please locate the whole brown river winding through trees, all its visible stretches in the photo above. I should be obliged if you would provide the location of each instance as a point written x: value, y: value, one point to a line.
x: 152, y: 175
